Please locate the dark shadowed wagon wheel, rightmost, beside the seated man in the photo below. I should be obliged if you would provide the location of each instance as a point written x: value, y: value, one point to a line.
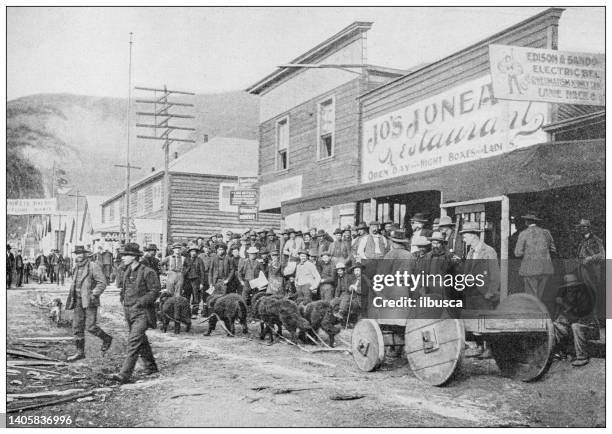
x: 524, y: 356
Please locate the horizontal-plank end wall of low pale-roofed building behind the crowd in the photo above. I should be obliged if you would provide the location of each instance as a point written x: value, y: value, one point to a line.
x: 194, y: 208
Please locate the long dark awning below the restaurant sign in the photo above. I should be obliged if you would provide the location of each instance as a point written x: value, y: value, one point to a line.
x: 540, y: 167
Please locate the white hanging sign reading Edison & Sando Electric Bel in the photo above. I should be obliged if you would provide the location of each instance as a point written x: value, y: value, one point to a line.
x: 533, y: 74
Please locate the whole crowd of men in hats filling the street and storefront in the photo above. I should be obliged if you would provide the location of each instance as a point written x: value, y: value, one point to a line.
x: 311, y: 265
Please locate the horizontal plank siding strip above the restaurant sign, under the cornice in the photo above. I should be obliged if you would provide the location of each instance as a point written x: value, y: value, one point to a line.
x: 461, y: 67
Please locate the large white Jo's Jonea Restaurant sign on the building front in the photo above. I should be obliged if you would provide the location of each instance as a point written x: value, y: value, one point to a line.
x: 462, y: 124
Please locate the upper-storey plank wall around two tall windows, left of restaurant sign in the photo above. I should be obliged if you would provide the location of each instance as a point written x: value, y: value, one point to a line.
x: 318, y: 175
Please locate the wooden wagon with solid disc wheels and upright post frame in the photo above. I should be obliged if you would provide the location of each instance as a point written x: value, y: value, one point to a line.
x: 519, y: 332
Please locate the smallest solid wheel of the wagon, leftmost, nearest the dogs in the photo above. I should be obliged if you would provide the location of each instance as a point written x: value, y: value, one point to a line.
x: 367, y: 345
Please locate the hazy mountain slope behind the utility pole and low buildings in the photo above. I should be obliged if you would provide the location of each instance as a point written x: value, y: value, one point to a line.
x: 85, y: 136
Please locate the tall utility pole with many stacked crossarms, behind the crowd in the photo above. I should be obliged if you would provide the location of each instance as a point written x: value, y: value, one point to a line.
x: 161, y: 114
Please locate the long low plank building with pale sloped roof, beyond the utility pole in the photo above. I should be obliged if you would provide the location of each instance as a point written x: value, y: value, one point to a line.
x: 199, y: 205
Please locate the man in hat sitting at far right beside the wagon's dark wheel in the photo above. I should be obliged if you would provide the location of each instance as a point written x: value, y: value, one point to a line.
x: 576, y: 320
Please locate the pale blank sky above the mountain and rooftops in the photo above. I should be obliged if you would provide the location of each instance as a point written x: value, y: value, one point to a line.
x: 210, y: 50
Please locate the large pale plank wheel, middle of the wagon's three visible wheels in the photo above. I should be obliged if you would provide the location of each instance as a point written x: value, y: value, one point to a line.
x: 434, y: 348
